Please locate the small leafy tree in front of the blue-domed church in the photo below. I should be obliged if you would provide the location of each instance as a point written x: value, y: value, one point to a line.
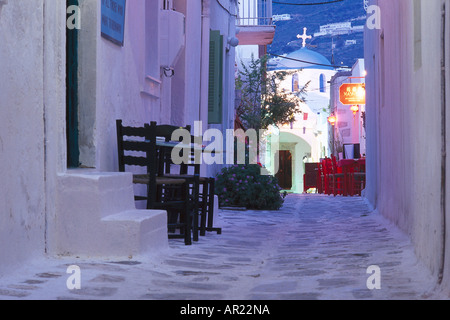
x: 263, y: 102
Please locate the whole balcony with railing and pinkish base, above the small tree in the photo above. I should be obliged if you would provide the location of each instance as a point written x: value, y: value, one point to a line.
x: 255, y: 22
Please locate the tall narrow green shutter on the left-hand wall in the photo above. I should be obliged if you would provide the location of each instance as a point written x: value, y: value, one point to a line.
x: 215, y: 78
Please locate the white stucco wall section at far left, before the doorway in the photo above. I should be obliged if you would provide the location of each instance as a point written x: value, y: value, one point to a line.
x: 22, y: 201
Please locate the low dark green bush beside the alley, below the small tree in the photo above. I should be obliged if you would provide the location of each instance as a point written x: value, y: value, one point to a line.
x: 244, y: 186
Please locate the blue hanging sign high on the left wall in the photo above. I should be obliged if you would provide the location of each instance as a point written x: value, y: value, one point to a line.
x: 113, y: 20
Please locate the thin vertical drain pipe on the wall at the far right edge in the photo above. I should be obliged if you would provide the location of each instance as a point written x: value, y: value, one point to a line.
x: 443, y: 144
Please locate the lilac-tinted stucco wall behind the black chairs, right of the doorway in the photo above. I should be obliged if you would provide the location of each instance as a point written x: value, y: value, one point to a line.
x: 124, y: 90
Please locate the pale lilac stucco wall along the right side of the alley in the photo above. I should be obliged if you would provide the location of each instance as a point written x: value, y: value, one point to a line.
x: 404, y: 123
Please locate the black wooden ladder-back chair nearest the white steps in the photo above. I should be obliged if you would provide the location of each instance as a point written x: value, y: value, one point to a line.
x: 137, y: 148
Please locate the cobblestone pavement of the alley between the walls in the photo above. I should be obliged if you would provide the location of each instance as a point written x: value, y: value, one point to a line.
x: 316, y: 247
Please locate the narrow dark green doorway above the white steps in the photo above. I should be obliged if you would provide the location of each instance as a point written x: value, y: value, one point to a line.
x: 73, y: 150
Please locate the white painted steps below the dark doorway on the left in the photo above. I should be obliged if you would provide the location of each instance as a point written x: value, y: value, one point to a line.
x: 97, y: 217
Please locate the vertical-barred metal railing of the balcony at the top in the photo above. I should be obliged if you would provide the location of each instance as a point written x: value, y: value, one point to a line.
x: 255, y: 13
